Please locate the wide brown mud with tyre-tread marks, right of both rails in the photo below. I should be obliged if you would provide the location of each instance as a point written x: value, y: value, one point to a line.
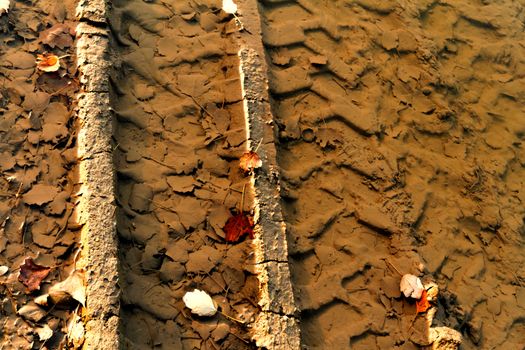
x: 400, y: 138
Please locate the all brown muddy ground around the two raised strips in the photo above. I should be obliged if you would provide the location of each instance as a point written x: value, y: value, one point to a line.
x: 399, y: 140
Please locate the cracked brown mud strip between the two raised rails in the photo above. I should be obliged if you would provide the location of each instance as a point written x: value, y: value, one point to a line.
x: 180, y: 129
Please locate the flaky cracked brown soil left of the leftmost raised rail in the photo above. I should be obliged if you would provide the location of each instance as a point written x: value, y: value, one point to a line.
x: 38, y: 163
